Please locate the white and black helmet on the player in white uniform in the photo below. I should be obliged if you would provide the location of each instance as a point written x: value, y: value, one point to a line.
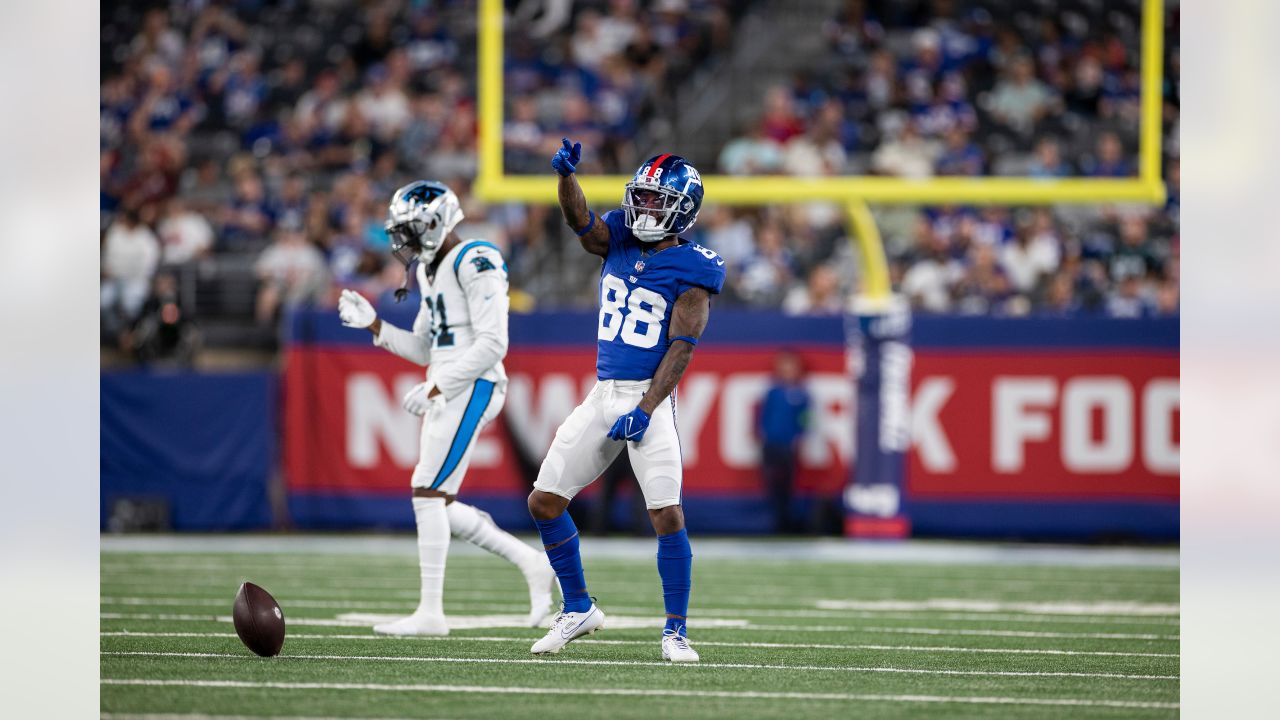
x: 420, y: 217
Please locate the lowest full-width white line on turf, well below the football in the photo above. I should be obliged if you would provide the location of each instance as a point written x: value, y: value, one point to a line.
x: 638, y: 692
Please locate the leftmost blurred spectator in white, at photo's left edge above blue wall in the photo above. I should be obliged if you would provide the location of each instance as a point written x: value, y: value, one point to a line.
x: 131, y: 254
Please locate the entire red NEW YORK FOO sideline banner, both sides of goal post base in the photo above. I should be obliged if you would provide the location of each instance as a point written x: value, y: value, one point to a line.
x: 985, y: 425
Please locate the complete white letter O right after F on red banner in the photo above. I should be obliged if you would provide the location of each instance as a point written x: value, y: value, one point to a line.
x: 1114, y: 452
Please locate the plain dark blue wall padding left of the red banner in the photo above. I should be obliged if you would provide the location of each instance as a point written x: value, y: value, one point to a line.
x: 205, y: 444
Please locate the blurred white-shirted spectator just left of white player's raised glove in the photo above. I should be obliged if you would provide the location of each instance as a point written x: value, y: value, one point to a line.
x: 292, y: 274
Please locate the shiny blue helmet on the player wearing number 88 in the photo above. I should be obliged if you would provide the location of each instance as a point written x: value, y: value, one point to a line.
x: 664, y: 198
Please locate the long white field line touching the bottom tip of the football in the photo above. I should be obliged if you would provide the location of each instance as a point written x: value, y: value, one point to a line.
x: 648, y: 664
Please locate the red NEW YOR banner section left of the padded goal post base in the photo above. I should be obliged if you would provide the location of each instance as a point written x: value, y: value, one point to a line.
x: 346, y: 431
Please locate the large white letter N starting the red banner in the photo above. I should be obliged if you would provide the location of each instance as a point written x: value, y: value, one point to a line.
x: 376, y: 417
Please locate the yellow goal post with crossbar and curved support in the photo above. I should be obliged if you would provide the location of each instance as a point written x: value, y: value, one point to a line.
x: 854, y: 193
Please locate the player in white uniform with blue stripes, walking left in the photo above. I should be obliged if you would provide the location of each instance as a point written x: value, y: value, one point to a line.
x: 460, y: 335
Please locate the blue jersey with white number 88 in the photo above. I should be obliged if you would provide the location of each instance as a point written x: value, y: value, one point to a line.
x: 638, y: 293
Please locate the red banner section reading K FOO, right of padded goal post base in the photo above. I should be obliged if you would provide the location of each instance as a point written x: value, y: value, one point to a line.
x: 1045, y: 426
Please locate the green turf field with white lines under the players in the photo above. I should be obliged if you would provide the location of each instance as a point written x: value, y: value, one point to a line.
x: 785, y: 637
